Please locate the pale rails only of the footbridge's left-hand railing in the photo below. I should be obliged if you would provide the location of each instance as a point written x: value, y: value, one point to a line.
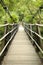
x: 12, y: 32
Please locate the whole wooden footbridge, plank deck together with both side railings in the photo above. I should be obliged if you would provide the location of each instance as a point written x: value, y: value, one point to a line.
x: 20, y: 50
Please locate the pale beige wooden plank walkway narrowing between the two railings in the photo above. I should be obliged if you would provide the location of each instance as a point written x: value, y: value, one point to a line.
x: 21, y: 51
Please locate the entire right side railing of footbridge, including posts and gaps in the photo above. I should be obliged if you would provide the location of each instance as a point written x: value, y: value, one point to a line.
x: 34, y: 32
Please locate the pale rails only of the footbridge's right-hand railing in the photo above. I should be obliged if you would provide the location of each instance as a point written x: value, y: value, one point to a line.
x: 29, y: 29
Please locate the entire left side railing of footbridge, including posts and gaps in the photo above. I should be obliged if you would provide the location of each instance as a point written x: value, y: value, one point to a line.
x: 9, y: 31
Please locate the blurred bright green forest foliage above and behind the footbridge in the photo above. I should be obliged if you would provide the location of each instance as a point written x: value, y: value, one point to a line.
x: 22, y: 10
